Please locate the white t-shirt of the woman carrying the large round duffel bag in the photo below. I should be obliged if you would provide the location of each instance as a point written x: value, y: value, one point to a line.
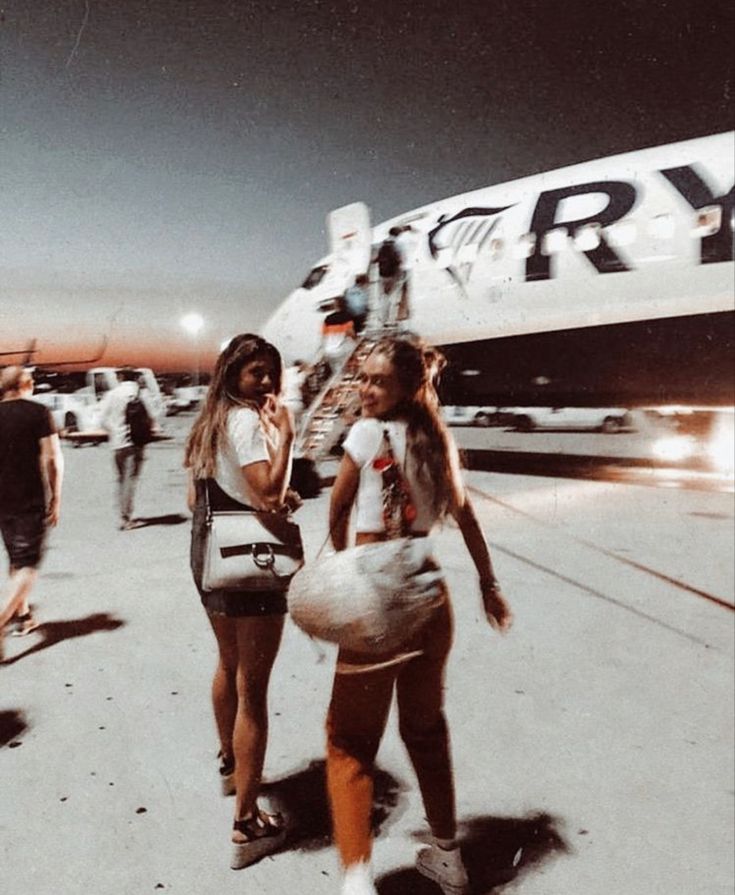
x: 363, y: 444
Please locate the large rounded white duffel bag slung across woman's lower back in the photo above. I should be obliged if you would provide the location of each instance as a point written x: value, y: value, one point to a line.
x: 370, y: 599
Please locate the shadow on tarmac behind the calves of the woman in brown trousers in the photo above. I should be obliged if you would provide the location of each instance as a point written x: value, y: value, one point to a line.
x: 302, y: 797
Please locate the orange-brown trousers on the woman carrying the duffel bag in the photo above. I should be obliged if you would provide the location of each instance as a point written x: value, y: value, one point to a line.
x: 357, y: 717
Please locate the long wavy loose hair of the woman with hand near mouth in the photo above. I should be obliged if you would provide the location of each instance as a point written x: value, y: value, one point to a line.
x: 210, y: 426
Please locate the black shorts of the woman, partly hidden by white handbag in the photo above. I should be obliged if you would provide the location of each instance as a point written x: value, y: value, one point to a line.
x: 232, y: 604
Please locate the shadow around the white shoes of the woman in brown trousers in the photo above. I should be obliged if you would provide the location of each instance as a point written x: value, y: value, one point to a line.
x: 496, y: 851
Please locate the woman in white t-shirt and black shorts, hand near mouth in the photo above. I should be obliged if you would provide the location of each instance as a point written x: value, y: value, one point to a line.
x: 239, y: 453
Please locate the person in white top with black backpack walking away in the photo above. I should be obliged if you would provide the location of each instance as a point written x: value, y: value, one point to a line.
x: 127, y: 417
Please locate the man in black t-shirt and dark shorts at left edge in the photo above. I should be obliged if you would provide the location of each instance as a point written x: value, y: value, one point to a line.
x: 31, y: 472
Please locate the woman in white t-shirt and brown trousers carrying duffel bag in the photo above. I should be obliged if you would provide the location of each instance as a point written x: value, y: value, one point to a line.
x: 400, y: 422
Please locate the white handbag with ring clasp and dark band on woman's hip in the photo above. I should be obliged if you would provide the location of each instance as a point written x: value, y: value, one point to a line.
x: 250, y: 550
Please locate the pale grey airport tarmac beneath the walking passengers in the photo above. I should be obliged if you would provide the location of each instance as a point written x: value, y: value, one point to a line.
x: 593, y: 744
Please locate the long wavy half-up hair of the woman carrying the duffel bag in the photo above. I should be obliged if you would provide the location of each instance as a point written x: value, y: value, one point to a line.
x: 432, y: 452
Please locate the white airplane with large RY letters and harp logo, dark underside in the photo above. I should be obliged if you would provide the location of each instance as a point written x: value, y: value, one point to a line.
x: 603, y: 283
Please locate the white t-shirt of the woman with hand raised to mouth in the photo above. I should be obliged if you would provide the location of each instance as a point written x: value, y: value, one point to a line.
x: 247, y: 442
